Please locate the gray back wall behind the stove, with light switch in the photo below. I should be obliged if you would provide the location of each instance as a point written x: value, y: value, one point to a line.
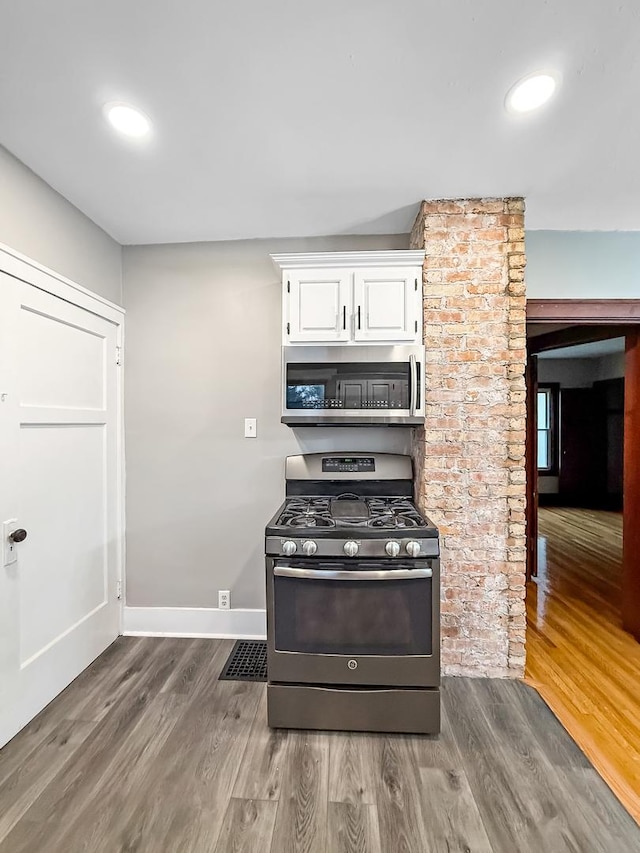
x: 202, y: 353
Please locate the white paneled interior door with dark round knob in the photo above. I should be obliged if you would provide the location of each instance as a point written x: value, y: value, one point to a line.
x: 59, y: 481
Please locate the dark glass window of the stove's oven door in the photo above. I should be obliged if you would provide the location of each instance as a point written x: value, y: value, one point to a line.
x: 359, y: 617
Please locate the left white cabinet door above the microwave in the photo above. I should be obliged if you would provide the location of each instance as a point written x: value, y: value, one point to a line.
x: 319, y: 306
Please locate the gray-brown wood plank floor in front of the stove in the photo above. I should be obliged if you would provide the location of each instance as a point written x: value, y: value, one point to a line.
x: 148, y: 752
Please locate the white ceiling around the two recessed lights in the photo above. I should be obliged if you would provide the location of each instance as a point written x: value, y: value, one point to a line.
x: 298, y: 118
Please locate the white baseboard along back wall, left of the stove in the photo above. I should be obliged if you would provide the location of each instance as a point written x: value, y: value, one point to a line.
x: 235, y: 624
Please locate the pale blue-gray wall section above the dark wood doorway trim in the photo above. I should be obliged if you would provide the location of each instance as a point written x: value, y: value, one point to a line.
x: 583, y: 264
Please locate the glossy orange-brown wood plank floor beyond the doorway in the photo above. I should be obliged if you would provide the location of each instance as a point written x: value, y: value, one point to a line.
x: 578, y: 657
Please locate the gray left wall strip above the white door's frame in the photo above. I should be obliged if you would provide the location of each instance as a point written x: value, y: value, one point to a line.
x: 38, y: 222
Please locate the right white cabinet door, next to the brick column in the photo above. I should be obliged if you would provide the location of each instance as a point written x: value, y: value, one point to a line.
x: 387, y: 304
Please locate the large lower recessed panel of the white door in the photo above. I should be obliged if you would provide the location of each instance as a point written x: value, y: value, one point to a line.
x: 65, y: 462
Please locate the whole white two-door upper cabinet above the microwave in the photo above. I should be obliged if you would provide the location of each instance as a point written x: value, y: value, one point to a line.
x: 352, y: 297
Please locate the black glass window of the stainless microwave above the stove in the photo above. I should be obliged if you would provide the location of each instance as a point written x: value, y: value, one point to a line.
x: 375, y: 385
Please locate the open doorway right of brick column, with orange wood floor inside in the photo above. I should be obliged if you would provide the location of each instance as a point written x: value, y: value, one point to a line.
x: 583, y: 561
